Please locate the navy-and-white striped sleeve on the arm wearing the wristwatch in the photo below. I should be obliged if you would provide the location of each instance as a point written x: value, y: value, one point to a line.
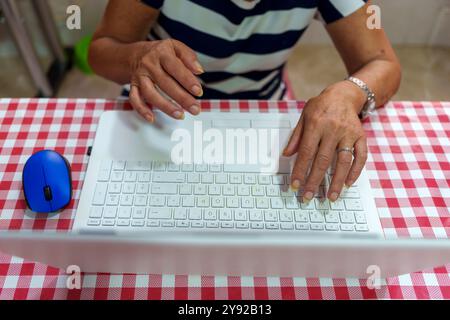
x: 333, y: 10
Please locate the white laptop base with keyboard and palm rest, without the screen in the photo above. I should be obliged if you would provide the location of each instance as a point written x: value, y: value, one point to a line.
x: 133, y: 185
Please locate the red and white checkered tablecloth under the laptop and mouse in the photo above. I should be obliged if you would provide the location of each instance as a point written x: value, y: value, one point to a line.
x: 408, y: 166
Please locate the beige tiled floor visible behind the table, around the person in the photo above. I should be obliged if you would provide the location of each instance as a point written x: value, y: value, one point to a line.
x: 311, y: 68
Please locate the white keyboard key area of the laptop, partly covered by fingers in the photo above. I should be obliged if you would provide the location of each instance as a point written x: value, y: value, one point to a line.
x: 157, y: 195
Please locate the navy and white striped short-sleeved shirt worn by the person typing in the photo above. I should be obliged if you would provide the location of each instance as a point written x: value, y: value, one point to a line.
x: 243, y: 45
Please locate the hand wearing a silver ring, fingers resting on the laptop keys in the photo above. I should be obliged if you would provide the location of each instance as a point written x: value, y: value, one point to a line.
x: 329, y: 122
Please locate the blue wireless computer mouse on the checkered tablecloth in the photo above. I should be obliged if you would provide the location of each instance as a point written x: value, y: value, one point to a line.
x: 47, y: 182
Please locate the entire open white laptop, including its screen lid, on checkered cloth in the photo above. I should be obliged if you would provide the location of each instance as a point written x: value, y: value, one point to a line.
x: 141, y: 212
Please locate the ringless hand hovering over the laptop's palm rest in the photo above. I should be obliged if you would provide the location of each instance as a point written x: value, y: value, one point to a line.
x: 171, y: 66
